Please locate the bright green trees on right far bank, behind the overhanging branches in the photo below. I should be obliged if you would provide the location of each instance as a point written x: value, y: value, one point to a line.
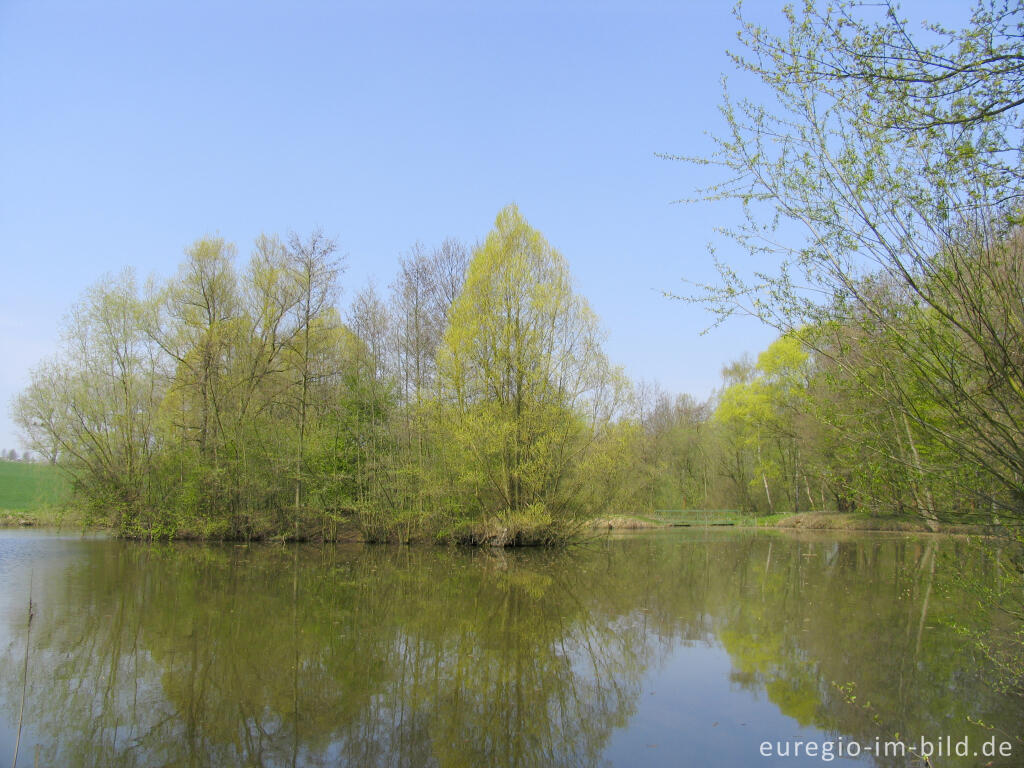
x: 804, y: 431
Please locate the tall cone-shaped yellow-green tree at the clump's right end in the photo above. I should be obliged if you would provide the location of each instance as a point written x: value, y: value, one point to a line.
x: 526, y: 391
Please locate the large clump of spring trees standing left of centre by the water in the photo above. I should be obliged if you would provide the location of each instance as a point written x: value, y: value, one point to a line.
x: 476, y: 404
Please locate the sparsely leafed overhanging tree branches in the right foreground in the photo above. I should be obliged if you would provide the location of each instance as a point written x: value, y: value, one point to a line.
x: 881, y: 189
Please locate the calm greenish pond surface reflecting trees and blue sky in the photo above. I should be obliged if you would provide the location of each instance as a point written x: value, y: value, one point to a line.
x: 667, y: 649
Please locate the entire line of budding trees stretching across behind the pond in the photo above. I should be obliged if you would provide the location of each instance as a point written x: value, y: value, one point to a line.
x: 475, y: 405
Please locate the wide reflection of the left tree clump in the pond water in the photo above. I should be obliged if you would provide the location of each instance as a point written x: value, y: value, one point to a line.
x: 200, y: 657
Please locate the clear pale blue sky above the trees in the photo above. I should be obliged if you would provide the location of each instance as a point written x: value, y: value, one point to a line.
x: 130, y: 130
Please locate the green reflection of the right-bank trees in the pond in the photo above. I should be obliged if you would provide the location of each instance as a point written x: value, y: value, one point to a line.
x: 858, y: 637
